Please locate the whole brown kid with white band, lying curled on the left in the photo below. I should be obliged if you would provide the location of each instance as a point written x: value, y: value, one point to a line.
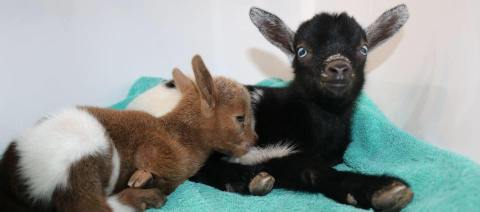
x: 82, y: 158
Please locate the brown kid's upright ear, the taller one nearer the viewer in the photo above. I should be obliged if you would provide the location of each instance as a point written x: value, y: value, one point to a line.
x: 204, y: 84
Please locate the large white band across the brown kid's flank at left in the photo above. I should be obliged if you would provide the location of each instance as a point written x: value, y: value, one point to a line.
x: 48, y: 150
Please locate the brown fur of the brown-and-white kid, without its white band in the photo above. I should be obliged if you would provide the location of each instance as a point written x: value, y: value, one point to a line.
x: 172, y: 148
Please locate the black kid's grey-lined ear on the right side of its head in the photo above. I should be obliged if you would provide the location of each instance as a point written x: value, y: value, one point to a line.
x: 386, y: 25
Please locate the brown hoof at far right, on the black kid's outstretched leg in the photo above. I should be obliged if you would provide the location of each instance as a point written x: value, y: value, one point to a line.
x: 393, y: 197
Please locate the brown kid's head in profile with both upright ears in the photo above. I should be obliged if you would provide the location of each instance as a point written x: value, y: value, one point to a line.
x: 225, y: 116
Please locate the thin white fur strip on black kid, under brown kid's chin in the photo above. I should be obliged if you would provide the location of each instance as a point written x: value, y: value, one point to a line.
x: 258, y: 155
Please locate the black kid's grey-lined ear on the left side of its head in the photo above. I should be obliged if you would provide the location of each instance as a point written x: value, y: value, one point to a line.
x: 274, y: 30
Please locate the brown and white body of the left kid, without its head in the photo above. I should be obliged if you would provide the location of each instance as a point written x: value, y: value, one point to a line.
x: 75, y: 160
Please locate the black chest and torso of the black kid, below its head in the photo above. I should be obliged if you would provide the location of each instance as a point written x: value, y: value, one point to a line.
x: 282, y: 115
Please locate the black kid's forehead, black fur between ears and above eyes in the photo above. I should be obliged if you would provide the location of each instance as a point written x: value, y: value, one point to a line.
x: 325, y: 27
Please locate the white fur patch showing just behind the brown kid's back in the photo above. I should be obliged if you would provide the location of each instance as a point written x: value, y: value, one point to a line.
x: 156, y: 101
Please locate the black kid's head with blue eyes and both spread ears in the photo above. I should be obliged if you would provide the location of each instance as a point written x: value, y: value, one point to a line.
x: 329, y: 51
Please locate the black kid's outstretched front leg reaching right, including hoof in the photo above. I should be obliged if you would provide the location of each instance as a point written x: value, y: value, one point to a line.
x: 308, y: 173
